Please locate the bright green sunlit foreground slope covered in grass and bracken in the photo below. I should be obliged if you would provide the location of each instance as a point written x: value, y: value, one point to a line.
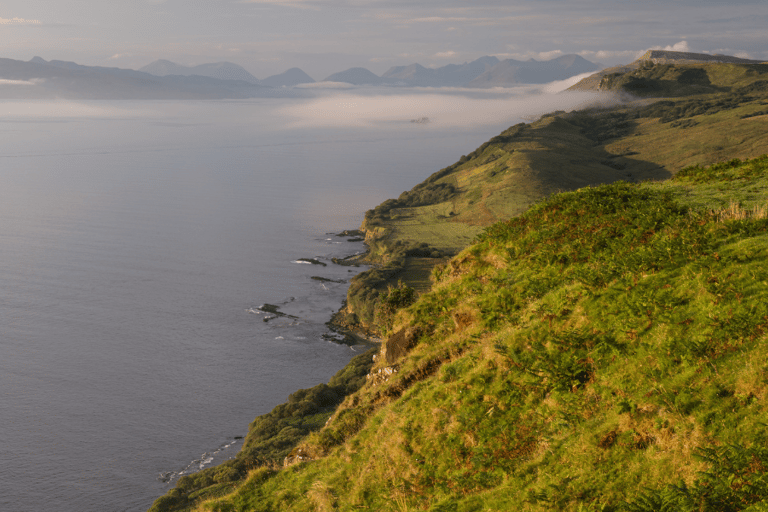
x: 605, y: 350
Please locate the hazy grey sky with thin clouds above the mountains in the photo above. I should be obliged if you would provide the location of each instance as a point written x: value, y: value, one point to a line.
x: 325, y: 36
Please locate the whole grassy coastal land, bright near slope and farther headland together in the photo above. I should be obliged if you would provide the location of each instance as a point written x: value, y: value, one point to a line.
x: 601, y: 350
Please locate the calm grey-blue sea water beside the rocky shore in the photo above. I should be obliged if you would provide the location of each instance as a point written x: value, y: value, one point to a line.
x: 136, y: 239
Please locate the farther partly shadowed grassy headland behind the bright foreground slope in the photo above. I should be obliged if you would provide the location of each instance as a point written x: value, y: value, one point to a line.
x: 711, y: 112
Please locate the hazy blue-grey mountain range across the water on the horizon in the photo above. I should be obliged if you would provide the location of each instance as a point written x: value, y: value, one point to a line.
x: 164, y: 79
